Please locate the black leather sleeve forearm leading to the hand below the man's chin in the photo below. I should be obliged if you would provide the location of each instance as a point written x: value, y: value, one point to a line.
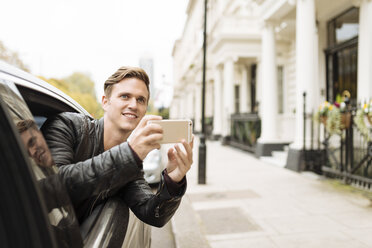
x: 110, y: 170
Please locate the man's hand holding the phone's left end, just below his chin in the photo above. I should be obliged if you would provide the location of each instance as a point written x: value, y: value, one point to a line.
x: 146, y: 137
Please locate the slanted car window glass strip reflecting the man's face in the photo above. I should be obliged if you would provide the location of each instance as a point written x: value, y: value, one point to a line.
x: 57, y: 203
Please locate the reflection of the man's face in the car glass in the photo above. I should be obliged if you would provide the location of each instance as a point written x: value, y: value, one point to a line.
x: 37, y: 147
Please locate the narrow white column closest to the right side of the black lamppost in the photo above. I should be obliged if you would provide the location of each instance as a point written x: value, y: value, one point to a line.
x: 218, y: 103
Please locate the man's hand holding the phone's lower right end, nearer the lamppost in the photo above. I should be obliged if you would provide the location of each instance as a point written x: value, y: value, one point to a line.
x: 179, y: 162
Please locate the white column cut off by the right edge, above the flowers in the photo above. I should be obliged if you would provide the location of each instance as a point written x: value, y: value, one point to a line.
x: 365, y: 51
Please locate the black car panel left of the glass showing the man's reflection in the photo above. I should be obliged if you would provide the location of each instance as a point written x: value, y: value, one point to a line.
x: 17, y: 176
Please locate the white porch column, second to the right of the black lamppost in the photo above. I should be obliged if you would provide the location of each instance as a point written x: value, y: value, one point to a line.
x: 228, y: 85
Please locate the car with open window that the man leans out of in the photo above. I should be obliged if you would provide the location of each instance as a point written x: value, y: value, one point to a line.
x: 36, y: 210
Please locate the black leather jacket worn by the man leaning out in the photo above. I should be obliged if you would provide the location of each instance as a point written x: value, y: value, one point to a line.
x: 91, y: 174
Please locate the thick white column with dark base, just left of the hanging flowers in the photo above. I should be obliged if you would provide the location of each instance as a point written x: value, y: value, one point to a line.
x: 306, y: 43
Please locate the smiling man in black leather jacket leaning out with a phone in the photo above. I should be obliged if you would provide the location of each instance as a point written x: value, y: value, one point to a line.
x: 96, y: 161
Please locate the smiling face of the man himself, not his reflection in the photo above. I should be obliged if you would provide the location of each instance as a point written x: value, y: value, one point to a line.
x: 127, y: 104
